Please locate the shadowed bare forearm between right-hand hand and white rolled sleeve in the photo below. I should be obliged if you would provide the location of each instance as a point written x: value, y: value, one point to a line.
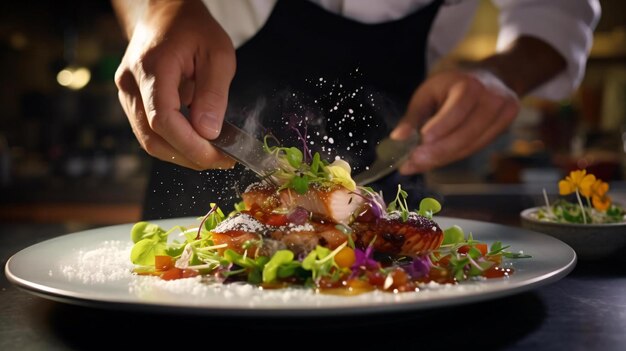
x: 526, y: 64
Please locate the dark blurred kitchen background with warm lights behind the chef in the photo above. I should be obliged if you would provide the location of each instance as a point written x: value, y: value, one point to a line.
x: 67, y: 154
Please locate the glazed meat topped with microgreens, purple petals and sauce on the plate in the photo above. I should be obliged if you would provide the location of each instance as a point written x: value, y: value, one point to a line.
x: 309, y: 225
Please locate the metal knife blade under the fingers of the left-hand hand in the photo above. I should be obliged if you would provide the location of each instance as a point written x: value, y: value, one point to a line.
x: 245, y: 149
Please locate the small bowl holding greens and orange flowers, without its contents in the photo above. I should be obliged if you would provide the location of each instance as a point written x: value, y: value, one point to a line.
x: 590, y: 241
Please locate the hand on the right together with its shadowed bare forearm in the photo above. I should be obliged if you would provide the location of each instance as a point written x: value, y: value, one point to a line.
x: 459, y: 112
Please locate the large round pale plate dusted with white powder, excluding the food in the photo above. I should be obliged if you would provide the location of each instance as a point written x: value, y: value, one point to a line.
x: 91, y: 268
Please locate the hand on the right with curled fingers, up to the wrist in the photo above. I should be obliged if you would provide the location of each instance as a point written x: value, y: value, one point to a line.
x: 459, y: 112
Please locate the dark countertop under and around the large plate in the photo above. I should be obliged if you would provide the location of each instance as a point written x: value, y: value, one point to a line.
x: 585, y: 310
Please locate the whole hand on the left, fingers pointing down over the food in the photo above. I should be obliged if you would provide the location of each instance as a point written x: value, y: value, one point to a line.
x: 178, y: 55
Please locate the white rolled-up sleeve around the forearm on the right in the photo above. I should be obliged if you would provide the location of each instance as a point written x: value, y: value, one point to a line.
x: 567, y: 25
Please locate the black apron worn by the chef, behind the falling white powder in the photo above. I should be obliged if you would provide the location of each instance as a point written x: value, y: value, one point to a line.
x: 310, y: 74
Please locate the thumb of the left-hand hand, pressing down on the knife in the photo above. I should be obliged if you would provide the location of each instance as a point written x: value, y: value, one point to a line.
x: 210, y: 98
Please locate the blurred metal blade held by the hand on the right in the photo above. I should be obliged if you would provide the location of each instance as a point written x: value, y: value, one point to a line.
x: 390, y: 154
